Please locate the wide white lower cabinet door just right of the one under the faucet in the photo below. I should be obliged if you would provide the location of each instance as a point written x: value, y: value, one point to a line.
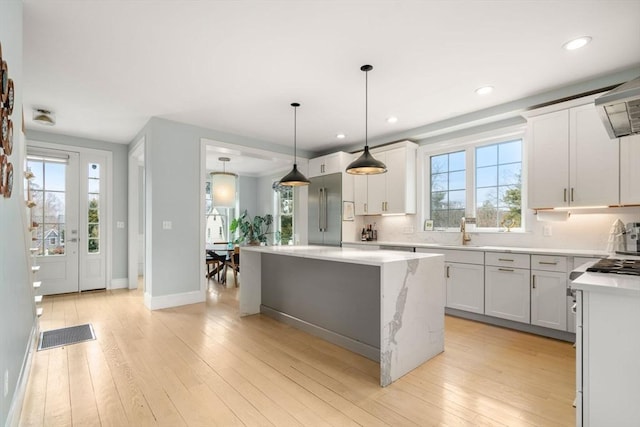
x: 506, y: 293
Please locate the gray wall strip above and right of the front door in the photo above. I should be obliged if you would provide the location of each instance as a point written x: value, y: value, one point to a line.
x: 119, y: 190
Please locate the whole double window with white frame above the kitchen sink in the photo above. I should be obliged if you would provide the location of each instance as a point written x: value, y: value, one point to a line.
x: 480, y: 179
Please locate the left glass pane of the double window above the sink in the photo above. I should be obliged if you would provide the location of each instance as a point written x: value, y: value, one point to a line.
x: 448, y: 194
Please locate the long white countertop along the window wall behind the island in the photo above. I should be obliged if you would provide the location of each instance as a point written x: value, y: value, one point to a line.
x: 535, y: 251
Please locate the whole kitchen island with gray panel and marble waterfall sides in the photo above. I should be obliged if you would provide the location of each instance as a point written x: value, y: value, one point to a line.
x: 387, y: 306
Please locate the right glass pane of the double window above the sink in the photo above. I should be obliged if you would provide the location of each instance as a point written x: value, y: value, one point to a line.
x: 499, y: 185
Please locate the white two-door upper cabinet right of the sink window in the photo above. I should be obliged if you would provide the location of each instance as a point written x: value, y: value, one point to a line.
x: 572, y: 160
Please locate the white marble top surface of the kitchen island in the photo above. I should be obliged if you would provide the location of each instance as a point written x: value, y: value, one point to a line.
x: 331, y: 253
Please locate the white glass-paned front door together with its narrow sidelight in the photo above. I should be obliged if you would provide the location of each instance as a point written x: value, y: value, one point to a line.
x: 67, y: 223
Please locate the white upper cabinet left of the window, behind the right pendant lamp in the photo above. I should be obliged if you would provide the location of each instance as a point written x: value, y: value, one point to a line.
x: 393, y: 192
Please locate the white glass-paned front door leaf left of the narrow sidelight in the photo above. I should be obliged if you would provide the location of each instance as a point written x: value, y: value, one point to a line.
x: 54, y: 220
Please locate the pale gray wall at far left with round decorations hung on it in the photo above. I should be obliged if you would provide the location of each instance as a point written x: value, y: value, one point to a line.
x: 17, y: 308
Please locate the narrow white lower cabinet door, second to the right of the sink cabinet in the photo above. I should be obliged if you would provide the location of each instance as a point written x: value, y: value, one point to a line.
x: 548, y: 299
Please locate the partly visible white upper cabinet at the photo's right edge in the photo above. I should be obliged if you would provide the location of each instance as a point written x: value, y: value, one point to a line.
x: 630, y: 170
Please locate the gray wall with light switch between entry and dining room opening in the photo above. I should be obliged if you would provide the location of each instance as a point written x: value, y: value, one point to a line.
x: 172, y: 176
